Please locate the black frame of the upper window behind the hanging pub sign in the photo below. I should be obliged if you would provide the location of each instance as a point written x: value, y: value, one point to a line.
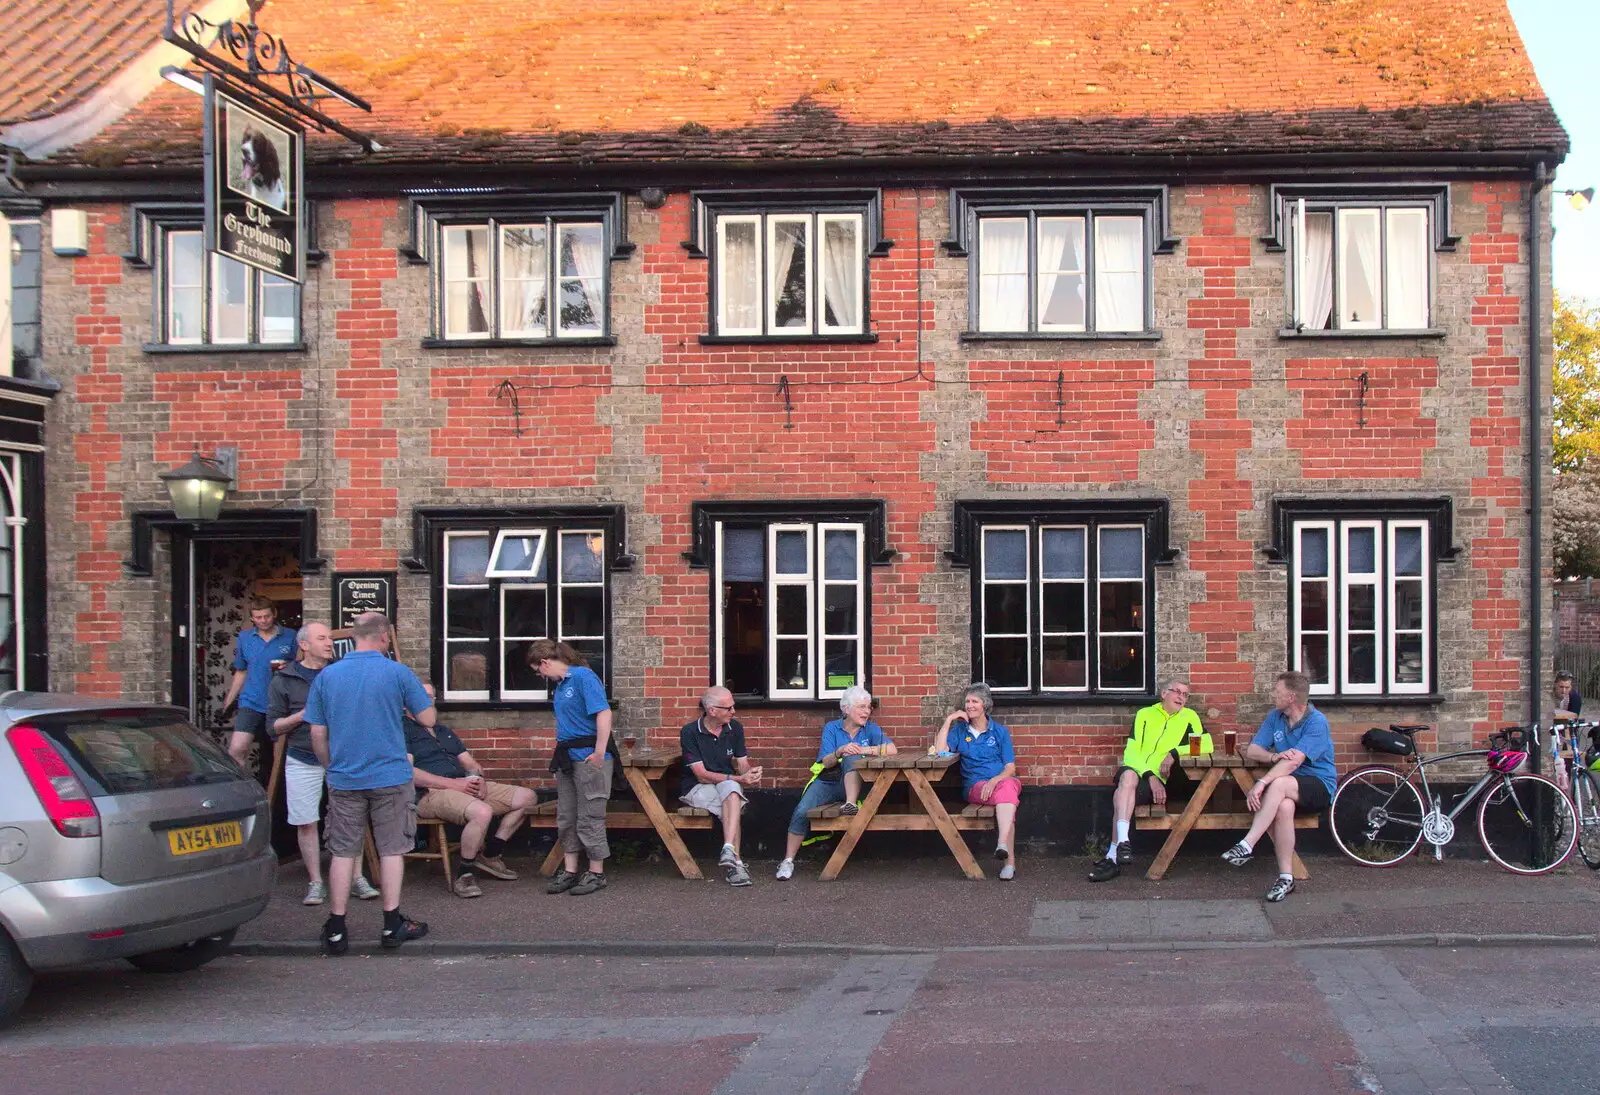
x: 151, y: 228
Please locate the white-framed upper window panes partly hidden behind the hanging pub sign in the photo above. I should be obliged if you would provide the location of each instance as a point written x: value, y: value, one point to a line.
x: 215, y: 300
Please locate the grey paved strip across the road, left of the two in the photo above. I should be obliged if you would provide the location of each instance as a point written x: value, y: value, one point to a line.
x: 825, y: 1045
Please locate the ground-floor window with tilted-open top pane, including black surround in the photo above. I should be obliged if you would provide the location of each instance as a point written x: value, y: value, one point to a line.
x: 503, y: 580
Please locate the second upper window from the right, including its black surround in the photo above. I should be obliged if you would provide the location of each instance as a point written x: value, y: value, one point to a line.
x: 1062, y: 262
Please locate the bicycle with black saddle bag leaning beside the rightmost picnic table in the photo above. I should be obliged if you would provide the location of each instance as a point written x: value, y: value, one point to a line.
x: 1526, y: 822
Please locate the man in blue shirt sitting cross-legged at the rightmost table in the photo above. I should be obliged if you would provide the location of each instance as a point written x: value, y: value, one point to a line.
x: 1297, y: 742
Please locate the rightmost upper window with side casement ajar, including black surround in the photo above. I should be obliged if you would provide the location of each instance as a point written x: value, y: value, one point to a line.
x: 1361, y: 260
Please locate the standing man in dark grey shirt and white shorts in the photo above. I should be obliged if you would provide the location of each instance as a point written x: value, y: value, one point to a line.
x: 302, y: 771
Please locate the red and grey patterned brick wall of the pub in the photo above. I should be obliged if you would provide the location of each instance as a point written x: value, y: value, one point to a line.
x: 1222, y: 417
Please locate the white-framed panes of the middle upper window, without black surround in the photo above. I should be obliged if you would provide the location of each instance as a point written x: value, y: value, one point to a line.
x: 790, y: 275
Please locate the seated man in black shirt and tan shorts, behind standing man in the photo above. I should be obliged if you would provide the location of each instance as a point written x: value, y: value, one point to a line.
x: 452, y: 788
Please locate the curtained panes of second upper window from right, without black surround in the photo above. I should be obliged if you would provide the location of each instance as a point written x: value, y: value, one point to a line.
x: 1062, y: 273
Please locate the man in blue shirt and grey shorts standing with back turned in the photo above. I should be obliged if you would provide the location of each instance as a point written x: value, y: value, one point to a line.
x: 354, y: 712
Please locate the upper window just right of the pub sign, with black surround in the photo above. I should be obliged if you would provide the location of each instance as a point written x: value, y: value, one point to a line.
x: 519, y: 267
